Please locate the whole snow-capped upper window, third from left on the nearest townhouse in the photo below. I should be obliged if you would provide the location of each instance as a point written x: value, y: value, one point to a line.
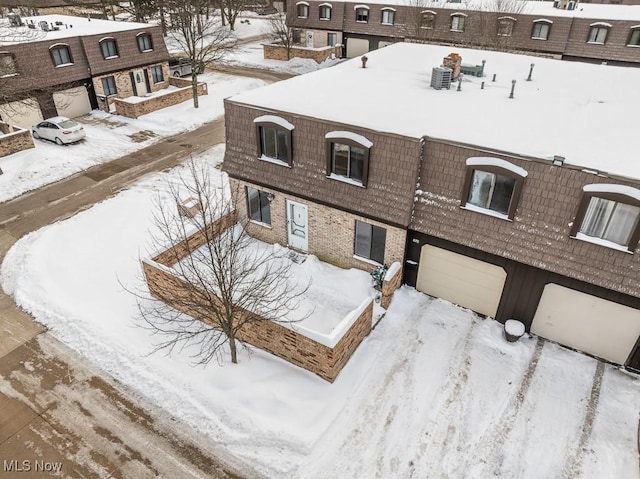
x: 493, y: 186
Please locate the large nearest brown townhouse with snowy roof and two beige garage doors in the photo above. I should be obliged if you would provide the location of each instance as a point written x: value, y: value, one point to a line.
x: 514, y: 199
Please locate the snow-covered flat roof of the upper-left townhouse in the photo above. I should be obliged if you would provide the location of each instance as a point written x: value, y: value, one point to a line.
x: 69, y: 26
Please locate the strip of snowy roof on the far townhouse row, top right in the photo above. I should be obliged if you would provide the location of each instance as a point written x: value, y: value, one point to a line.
x: 542, y: 8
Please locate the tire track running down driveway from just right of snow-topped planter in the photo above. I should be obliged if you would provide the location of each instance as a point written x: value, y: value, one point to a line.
x: 490, y: 445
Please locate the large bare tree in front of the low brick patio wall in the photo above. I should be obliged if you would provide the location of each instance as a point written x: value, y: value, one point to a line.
x: 222, y: 286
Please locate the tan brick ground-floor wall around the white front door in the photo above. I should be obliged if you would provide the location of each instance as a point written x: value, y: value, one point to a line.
x: 331, y: 231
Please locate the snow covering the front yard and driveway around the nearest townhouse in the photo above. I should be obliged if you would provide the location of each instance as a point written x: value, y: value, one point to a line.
x: 433, y: 391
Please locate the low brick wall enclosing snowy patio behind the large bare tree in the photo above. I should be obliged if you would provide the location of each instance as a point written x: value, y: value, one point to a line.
x: 272, y: 337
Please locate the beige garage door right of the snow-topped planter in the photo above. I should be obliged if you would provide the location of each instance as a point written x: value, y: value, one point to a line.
x: 596, y: 326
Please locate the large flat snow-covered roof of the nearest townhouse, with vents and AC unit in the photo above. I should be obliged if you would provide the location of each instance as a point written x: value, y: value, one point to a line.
x: 583, y: 112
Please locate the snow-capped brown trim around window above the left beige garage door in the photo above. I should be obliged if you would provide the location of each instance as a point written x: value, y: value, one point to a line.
x: 495, y: 166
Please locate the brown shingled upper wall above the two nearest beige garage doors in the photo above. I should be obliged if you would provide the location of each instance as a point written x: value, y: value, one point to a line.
x: 539, y: 233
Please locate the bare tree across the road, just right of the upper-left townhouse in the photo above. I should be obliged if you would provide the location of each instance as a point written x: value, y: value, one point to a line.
x: 200, y: 34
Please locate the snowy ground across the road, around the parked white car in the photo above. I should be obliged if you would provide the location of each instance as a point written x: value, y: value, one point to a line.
x: 111, y: 136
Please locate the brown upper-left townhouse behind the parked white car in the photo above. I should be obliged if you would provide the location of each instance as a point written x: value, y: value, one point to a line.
x: 64, y: 65
